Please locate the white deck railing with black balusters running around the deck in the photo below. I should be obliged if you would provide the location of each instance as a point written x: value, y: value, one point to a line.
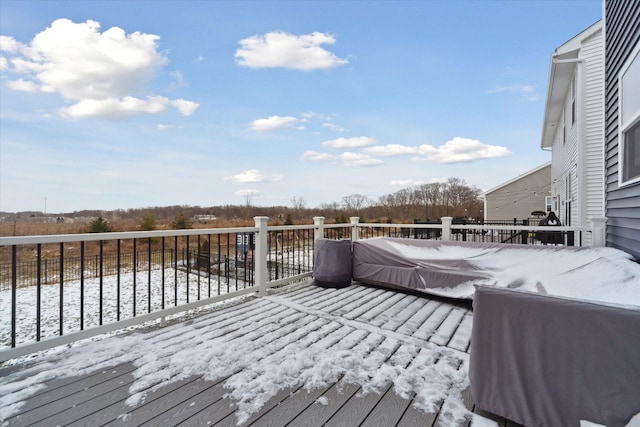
x: 62, y: 288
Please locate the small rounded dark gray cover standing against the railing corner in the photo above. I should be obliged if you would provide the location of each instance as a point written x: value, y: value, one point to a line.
x: 332, y: 264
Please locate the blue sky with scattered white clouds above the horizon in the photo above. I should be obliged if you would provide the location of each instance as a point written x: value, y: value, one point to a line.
x: 128, y: 104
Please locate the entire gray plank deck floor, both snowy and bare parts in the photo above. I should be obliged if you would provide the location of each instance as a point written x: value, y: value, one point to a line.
x: 302, y: 355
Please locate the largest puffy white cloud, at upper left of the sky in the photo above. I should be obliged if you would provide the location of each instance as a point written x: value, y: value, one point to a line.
x: 98, y: 71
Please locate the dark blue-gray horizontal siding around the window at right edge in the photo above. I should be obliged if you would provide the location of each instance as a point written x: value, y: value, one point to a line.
x: 622, y: 204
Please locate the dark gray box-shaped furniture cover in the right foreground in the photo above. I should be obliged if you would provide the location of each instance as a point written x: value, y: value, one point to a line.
x: 543, y: 360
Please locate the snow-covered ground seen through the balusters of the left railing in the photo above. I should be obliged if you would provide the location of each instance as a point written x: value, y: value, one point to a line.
x: 26, y: 301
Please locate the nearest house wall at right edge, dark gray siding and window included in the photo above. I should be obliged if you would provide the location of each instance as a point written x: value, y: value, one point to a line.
x: 622, y: 117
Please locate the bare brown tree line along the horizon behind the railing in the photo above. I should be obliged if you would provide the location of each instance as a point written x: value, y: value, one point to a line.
x: 453, y: 197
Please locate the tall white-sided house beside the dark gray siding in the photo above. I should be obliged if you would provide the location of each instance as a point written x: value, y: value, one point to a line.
x: 573, y: 127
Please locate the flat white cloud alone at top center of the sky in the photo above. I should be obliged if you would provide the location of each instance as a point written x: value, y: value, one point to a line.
x: 283, y: 50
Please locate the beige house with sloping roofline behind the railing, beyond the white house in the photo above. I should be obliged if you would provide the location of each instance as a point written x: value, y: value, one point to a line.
x: 521, y: 196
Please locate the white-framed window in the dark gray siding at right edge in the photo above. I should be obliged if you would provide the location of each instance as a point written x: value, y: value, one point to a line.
x: 629, y: 120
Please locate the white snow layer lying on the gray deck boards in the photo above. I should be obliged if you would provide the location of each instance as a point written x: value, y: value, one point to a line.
x: 300, y: 336
